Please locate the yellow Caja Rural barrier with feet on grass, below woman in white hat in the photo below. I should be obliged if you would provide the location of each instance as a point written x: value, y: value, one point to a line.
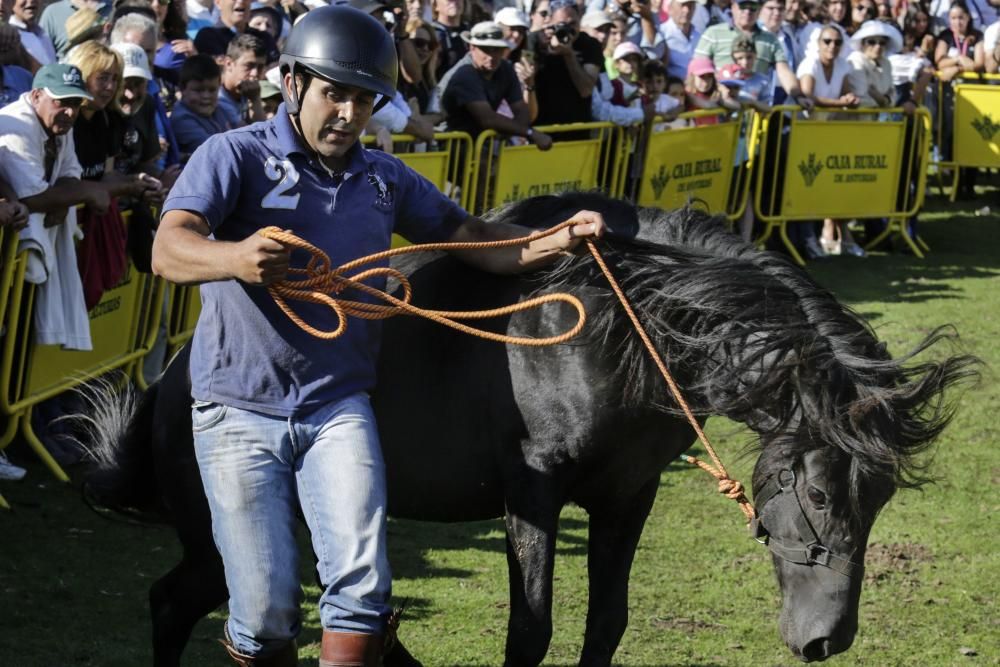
x: 843, y: 169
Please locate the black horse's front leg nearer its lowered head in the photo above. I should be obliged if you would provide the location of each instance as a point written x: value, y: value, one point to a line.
x: 613, y: 538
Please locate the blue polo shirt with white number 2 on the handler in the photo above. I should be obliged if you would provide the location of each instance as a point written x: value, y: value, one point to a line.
x: 247, y: 353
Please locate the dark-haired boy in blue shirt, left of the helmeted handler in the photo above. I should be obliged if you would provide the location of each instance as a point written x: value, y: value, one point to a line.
x: 197, y: 115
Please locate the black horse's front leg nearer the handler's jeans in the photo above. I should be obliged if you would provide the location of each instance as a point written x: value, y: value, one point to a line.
x: 532, y: 518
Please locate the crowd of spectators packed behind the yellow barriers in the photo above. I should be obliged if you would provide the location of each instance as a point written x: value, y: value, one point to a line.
x: 103, y: 102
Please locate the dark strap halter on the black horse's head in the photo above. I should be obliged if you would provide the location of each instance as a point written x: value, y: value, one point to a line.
x: 809, y: 550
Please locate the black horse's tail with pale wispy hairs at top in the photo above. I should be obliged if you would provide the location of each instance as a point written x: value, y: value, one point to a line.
x: 119, y: 441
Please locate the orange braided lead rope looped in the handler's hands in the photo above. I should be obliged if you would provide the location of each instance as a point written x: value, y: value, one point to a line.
x: 321, y: 279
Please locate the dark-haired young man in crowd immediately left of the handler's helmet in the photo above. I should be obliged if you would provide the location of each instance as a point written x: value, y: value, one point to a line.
x: 242, y: 70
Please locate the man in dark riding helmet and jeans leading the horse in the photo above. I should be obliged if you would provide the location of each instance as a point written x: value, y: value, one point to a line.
x: 281, y: 420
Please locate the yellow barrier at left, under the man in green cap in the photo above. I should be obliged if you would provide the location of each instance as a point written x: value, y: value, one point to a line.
x: 123, y: 329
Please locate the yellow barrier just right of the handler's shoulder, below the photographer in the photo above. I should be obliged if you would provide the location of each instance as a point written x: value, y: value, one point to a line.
x: 506, y: 173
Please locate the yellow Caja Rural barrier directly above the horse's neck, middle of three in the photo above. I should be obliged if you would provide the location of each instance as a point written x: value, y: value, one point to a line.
x: 700, y: 163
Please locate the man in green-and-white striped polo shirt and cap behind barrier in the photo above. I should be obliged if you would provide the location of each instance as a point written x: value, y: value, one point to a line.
x: 717, y: 42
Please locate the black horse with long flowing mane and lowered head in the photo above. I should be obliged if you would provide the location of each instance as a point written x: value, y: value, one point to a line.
x: 474, y: 430
